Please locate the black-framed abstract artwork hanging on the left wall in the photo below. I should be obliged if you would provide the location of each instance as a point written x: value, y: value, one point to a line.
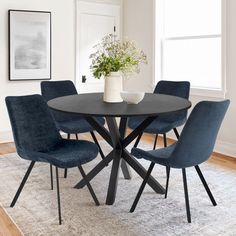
x: 29, y: 45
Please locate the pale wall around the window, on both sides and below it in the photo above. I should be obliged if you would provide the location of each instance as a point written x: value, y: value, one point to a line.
x: 139, y: 25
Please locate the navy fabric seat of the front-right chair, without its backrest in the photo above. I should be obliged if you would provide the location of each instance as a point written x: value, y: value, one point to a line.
x: 160, y: 156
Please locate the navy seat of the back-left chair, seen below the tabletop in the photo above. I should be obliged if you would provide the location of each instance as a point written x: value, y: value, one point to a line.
x: 78, y: 125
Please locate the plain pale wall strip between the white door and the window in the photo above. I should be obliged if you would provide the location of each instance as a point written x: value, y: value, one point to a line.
x: 139, y: 26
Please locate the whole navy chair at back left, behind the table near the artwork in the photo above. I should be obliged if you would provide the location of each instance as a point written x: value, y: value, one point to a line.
x: 68, y: 123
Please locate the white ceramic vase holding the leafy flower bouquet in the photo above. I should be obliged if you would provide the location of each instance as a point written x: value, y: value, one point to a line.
x: 112, y: 87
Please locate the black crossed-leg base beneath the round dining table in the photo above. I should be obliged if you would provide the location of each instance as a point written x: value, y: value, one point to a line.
x: 119, y: 155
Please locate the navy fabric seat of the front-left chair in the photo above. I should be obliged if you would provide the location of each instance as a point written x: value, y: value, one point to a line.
x: 66, y: 154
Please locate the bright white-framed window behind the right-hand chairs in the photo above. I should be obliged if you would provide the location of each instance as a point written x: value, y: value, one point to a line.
x: 189, y: 43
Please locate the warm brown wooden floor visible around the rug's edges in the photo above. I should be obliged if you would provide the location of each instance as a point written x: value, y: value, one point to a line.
x: 8, y: 228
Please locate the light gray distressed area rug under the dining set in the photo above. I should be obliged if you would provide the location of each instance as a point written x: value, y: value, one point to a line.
x: 35, y: 212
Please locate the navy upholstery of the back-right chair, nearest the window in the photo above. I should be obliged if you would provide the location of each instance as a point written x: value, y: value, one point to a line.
x: 166, y: 123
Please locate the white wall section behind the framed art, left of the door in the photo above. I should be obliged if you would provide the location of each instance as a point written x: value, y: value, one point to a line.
x: 62, y: 50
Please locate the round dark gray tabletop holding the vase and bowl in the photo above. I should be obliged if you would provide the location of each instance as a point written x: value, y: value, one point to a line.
x: 91, y: 104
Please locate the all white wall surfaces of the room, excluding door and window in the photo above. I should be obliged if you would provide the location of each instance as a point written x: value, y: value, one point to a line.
x: 138, y: 25
